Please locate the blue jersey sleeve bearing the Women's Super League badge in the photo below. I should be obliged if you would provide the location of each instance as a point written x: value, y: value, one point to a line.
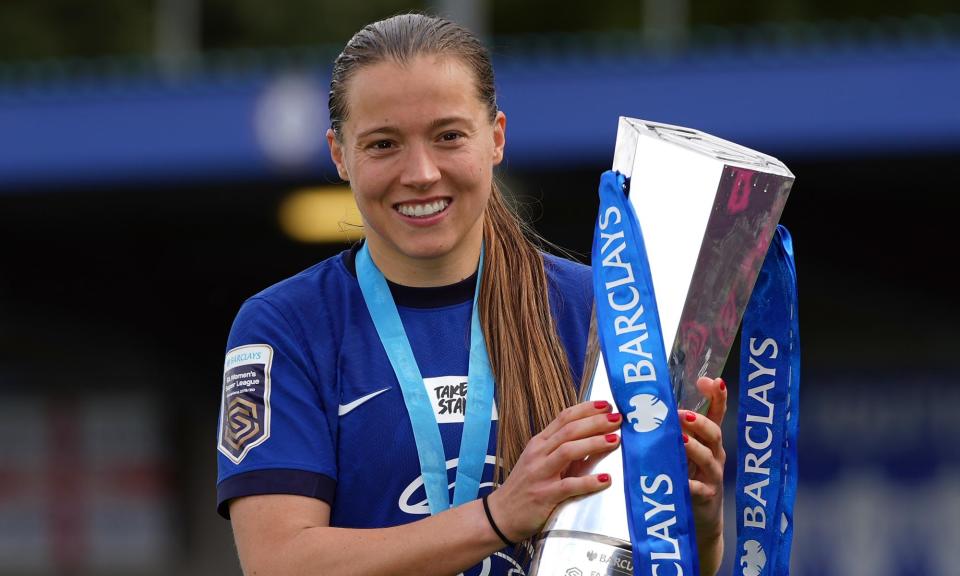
x: 277, y: 425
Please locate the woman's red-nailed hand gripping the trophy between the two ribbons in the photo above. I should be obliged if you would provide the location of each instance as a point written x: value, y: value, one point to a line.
x: 704, y: 444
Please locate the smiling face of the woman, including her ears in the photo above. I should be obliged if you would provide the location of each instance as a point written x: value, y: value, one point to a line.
x: 418, y: 149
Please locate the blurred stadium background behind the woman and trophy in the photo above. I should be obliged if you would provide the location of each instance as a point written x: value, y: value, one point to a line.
x: 162, y: 160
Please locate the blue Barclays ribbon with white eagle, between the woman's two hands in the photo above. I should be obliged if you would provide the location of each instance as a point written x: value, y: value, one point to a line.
x: 654, y: 459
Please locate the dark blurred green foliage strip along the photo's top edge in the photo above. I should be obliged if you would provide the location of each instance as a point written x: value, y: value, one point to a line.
x: 69, y: 29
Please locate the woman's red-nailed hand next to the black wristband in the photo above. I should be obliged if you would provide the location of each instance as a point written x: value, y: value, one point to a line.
x: 550, y: 469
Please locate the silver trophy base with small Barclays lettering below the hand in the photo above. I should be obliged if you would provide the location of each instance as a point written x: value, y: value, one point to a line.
x: 573, y: 553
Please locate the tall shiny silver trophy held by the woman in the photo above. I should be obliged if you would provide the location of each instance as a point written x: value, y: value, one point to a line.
x: 708, y: 209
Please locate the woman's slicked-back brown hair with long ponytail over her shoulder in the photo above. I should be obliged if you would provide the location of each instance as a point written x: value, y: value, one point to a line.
x: 533, y: 378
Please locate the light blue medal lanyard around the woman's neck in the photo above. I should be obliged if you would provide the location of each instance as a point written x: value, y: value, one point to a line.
x: 426, y: 431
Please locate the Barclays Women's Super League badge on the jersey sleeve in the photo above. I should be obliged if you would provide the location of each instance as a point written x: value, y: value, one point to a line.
x: 245, y: 404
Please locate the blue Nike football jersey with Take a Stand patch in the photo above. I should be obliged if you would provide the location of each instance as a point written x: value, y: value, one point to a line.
x: 311, y: 405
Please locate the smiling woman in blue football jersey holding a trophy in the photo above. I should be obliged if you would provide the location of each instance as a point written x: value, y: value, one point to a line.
x: 326, y: 463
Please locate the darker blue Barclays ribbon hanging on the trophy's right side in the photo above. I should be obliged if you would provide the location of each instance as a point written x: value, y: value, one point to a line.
x: 768, y: 416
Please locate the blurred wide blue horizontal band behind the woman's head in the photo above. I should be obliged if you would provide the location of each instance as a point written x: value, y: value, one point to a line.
x: 815, y: 102
